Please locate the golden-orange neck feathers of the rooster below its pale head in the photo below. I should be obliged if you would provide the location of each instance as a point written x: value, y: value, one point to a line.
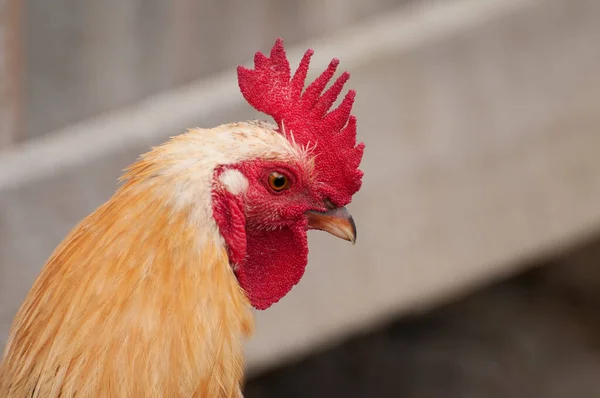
x: 137, y: 301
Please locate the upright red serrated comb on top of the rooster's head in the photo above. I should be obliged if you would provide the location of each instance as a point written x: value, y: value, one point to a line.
x: 305, y: 116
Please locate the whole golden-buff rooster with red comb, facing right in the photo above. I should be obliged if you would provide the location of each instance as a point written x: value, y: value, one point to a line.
x: 151, y: 295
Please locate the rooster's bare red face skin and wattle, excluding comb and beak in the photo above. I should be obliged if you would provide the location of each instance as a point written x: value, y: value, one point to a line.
x: 265, y: 230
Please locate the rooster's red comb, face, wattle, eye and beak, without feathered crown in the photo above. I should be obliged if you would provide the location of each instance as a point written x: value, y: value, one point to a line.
x: 265, y: 227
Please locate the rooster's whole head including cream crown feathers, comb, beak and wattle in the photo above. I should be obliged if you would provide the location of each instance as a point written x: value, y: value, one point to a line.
x: 271, y: 183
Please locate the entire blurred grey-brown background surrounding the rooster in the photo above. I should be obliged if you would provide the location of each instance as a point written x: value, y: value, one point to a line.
x: 477, y: 269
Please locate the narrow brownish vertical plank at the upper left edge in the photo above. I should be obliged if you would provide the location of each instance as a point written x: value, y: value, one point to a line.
x: 10, y: 73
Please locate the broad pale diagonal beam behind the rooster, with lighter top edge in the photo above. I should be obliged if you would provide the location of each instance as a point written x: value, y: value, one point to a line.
x: 481, y: 122
